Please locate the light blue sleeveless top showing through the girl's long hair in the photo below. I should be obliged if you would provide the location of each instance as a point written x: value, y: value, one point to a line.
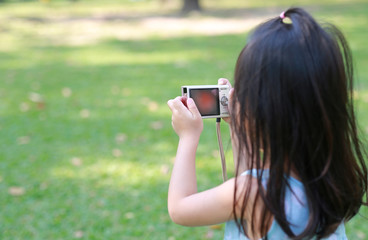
x: 296, y: 209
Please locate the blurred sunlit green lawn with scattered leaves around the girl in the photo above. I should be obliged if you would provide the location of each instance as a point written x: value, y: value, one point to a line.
x: 86, y: 144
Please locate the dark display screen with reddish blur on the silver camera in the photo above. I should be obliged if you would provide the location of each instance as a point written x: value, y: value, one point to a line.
x: 207, y: 100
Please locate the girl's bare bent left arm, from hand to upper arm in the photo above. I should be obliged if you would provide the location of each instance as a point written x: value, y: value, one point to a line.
x: 186, y: 206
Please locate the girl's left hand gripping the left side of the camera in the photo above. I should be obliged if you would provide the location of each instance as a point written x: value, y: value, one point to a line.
x: 186, y: 119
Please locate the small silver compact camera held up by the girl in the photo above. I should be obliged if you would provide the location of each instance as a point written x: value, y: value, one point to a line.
x: 211, y: 100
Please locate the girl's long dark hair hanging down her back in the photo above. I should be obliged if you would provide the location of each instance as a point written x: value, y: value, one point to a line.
x: 293, y: 107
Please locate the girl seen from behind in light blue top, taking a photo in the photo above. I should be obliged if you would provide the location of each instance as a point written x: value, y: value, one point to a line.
x: 300, y: 170
